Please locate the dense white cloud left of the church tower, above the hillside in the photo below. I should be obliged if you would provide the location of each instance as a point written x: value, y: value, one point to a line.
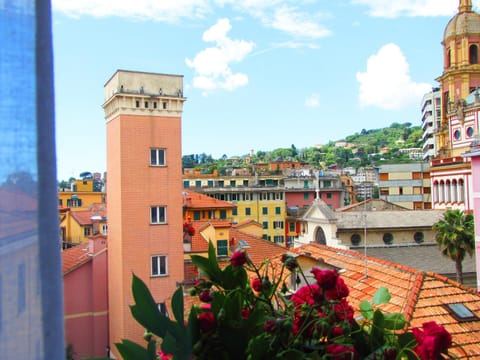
x: 386, y: 83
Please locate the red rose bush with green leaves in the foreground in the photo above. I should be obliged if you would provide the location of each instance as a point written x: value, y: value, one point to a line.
x: 261, y: 319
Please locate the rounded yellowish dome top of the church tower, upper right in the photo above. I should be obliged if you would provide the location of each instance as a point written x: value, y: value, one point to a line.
x: 465, y: 22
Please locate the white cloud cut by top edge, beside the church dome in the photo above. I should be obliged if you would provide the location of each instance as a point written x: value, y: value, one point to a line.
x: 393, y: 9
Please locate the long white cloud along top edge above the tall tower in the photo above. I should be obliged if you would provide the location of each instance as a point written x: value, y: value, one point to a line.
x: 162, y: 11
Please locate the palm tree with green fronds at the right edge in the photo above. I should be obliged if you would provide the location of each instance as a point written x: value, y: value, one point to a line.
x: 456, y: 237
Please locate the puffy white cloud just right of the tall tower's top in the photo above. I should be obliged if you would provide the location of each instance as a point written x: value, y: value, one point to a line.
x: 212, y: 65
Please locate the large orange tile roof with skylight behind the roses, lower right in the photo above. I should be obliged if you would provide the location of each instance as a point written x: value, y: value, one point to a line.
x: 420, y: 296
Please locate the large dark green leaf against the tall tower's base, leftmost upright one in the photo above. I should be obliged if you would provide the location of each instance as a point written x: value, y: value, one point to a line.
x: 145, y: 309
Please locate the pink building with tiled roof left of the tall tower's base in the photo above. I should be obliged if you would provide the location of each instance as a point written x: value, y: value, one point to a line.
x: 86, y: 298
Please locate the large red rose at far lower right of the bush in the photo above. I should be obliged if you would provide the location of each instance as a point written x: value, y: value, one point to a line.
x: 432, y: 341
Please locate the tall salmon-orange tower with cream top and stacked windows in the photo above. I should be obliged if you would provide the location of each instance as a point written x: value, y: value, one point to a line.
x: 143, y: 113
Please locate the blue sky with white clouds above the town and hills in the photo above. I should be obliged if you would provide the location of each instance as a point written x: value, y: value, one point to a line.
x: 258, y: 74
